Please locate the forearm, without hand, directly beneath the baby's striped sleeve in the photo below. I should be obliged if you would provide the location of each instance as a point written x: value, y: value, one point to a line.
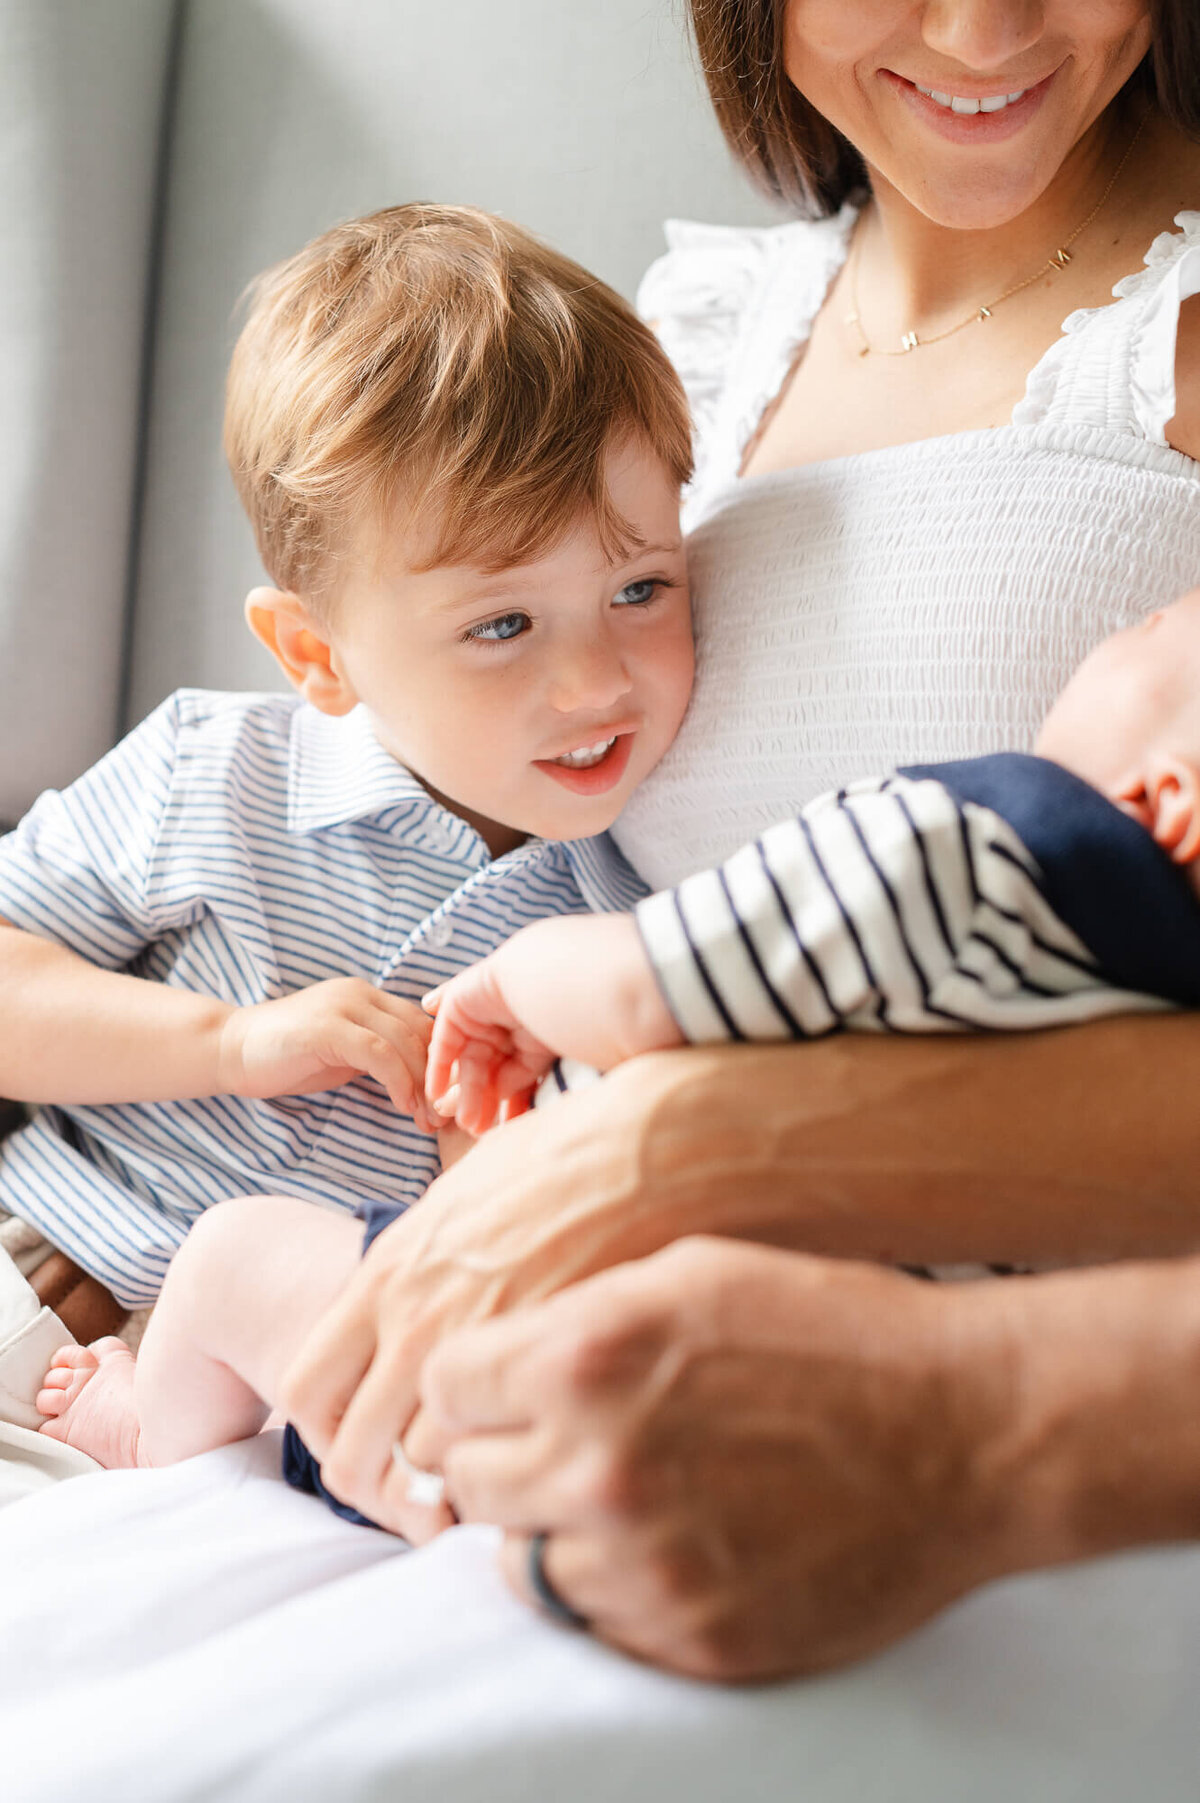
x: 1039, y: 1148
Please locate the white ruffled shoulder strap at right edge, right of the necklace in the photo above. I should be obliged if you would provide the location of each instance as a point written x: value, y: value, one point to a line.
x: 1114, y: 367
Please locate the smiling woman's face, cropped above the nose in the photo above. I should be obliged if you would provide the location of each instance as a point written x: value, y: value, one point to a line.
x: 965, y: 152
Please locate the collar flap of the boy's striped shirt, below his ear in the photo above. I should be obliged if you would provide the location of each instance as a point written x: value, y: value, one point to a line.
x: 340, y: 773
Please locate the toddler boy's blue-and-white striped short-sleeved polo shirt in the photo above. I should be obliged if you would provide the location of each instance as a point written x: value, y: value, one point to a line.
x: 244, y: 847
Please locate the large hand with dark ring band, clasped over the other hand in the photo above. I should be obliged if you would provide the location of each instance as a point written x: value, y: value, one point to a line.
x: 747, y: 1463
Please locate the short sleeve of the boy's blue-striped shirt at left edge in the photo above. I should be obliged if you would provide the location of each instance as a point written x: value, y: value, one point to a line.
x: 80, y: 866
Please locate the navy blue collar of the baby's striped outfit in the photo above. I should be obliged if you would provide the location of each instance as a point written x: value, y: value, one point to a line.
x: 1102, y: 872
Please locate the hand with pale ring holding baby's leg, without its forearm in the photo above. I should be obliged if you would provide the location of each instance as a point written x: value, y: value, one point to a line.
x: 534, y: 1205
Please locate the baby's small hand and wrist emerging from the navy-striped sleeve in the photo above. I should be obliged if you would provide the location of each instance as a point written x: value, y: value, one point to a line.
x: 577, y: 987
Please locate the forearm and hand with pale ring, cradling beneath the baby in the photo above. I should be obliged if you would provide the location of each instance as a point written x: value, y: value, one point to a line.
x: 1050, y: 1148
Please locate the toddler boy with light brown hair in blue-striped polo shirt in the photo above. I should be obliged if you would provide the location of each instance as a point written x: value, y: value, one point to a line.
x: 462, y: 457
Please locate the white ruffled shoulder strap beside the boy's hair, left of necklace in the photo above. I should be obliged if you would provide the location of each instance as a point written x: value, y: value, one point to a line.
x: 731, y: 306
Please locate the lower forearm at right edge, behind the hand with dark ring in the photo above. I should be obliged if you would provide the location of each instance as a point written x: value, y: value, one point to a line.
x: 1093, y: 1436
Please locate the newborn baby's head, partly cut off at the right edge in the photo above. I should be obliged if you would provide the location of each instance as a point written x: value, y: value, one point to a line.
x: 1129, y: 722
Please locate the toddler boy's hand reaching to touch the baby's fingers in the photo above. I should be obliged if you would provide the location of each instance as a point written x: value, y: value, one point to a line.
x: 323, y: 1038
